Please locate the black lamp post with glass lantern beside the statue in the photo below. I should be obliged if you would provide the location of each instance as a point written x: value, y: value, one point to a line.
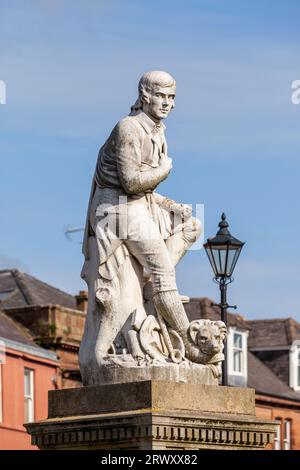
x: 223, y: 251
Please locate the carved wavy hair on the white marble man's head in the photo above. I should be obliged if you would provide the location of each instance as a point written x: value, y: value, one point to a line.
x: 146, y: 84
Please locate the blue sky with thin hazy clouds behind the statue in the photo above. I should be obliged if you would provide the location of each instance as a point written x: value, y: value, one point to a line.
x: 71, y: 70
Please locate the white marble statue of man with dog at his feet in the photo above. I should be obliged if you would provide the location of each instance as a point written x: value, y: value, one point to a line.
x: 134, y: 238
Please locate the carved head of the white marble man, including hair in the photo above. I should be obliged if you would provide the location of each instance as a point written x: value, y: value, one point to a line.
x: 156, y: 95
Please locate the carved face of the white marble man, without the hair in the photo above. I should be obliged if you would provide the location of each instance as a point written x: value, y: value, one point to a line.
x: 161, y: 102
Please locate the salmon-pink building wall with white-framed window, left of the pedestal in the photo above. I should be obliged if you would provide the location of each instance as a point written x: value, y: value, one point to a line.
x: 26, y: 374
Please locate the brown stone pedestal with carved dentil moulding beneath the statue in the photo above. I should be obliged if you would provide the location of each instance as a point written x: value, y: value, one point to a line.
x: 152, y: 415
